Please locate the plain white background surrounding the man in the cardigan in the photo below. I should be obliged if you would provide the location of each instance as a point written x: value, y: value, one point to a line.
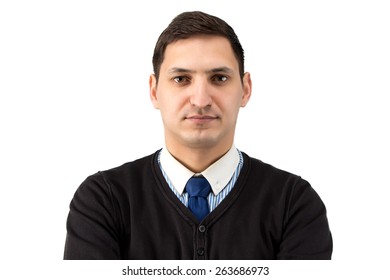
x: 75, y: 100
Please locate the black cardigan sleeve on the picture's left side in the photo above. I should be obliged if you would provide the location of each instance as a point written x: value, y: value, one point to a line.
x: 92, y: 231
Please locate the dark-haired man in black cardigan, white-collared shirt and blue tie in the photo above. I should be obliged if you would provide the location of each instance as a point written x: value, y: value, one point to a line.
x: 199, y: 197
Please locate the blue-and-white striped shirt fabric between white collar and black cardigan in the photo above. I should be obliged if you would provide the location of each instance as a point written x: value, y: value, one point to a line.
x: 213, y: 200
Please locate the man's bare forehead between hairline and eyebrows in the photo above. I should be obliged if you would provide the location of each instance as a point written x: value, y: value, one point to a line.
x: 200, y: 51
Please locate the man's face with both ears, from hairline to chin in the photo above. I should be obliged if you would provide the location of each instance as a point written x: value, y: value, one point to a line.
x: 199, y: 92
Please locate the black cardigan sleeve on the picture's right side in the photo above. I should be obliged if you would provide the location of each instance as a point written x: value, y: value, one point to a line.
x: 306, y: 233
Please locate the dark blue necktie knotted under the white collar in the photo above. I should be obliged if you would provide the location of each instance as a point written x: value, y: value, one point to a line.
x: 198, y: 188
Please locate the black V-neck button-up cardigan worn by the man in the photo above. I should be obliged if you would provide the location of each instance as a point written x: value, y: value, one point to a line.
x: 129, y: 212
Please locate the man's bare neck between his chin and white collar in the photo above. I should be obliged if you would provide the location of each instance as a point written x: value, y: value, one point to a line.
x: 197, y: 159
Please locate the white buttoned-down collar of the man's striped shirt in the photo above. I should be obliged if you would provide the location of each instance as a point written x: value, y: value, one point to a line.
x: 218, y: 174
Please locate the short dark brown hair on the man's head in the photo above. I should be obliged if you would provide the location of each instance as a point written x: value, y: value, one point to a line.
x: 188, y: 24
